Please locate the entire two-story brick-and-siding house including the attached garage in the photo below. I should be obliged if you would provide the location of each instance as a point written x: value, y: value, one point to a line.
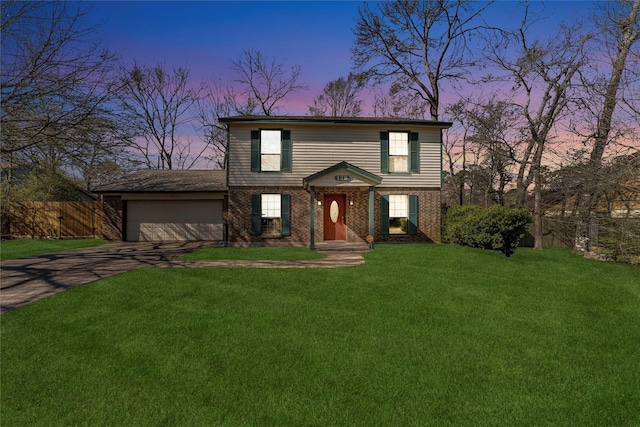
x: 293, y: 181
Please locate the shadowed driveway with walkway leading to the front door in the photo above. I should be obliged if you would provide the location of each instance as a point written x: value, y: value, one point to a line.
x: 29, y: 279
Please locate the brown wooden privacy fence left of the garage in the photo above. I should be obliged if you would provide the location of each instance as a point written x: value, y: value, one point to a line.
x: 55, y: 219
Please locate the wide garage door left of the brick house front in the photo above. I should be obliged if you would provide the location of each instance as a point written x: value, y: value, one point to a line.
x: 157, y: 220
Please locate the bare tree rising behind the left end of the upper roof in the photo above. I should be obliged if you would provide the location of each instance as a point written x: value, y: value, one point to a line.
x: 264, y: 82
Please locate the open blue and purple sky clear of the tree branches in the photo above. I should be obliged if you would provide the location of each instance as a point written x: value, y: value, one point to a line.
x: 206, y: 36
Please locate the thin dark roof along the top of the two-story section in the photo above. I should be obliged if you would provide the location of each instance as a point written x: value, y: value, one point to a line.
x: 335, y: 120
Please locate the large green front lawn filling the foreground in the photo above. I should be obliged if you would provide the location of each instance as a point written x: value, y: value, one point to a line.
x: 418, y: 335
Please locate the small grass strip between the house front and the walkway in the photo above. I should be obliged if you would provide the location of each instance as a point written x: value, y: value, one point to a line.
x: 253, y: 253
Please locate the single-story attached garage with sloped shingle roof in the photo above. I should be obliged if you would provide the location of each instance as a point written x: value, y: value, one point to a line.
x: 166, y: 205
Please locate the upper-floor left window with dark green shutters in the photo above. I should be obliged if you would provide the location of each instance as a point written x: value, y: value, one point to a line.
x: 270, y: 150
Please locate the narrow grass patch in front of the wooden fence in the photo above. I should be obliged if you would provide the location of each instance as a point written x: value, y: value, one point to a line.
x: 20, y: 248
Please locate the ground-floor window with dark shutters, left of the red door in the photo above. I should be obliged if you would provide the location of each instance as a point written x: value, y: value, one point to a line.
x: 270, y: 215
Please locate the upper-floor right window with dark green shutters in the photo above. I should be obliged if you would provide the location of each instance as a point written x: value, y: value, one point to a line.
x: 399, y: 152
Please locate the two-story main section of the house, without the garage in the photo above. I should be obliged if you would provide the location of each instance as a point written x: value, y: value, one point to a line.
x: 307, y: 180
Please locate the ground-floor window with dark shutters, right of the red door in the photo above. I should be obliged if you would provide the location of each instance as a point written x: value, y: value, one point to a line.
x: 399, y: 214
